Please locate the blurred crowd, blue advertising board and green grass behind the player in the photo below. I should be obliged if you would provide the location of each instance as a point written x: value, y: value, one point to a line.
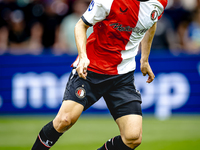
x: 37, y: 47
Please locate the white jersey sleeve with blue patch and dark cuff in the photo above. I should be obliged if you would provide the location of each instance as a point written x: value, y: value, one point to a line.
x: 97, y: 11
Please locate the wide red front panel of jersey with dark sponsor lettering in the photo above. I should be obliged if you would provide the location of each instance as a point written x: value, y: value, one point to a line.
x: 111, y: 36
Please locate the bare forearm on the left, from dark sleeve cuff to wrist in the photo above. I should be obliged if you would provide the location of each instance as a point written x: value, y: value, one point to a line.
x: 81, y: 38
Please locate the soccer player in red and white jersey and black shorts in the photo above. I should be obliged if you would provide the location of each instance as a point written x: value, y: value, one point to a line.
x: 105, y: 67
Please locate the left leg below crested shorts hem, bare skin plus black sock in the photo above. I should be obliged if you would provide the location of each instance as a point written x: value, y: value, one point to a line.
x: 68, y: 114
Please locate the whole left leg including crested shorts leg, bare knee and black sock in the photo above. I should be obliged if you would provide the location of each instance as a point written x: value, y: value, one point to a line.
x: 77, y: 98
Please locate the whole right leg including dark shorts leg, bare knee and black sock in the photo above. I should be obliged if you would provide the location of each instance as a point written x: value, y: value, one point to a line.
x: 124, y: 103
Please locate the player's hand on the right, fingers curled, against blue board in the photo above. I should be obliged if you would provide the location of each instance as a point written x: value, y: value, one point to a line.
x: 146, y: 69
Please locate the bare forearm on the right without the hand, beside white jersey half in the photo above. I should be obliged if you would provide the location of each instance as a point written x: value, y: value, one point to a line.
x: 146, y: 43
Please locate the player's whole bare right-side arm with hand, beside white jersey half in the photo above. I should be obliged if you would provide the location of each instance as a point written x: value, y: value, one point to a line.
x: 145, y: 51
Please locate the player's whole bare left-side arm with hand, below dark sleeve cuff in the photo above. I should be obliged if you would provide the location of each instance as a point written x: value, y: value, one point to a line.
x: 81, y: 38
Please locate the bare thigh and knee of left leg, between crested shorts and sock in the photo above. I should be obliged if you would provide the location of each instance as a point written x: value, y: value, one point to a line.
x: 68, y: 114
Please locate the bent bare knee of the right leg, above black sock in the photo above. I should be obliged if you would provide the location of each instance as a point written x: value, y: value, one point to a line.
x: 134, y: 139
